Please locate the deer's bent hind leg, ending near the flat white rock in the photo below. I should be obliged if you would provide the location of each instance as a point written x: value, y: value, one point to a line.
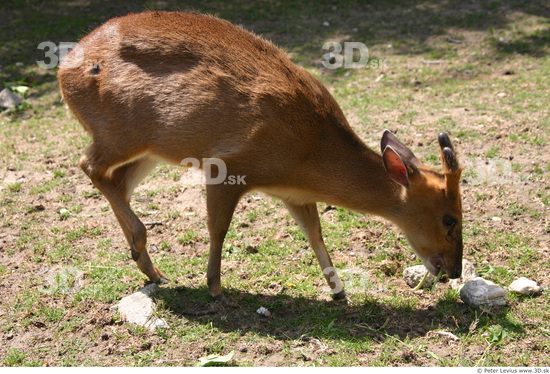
x: 117, y: 187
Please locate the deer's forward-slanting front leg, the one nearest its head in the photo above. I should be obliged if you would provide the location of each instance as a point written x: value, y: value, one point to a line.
x: 307, y: 218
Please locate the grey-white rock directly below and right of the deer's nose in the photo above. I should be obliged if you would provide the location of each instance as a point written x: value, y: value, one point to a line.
x: 481, y: 292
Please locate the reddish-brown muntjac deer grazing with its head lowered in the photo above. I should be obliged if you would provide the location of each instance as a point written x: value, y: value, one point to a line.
x: 168, y: 86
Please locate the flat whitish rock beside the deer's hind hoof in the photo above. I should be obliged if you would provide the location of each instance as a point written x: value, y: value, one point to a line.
x: 139, y: 308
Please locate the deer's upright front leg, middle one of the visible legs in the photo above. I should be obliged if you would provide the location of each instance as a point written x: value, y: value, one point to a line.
x: 221, y: 201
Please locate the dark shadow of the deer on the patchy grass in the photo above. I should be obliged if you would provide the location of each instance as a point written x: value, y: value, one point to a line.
x: 293, y: 317
